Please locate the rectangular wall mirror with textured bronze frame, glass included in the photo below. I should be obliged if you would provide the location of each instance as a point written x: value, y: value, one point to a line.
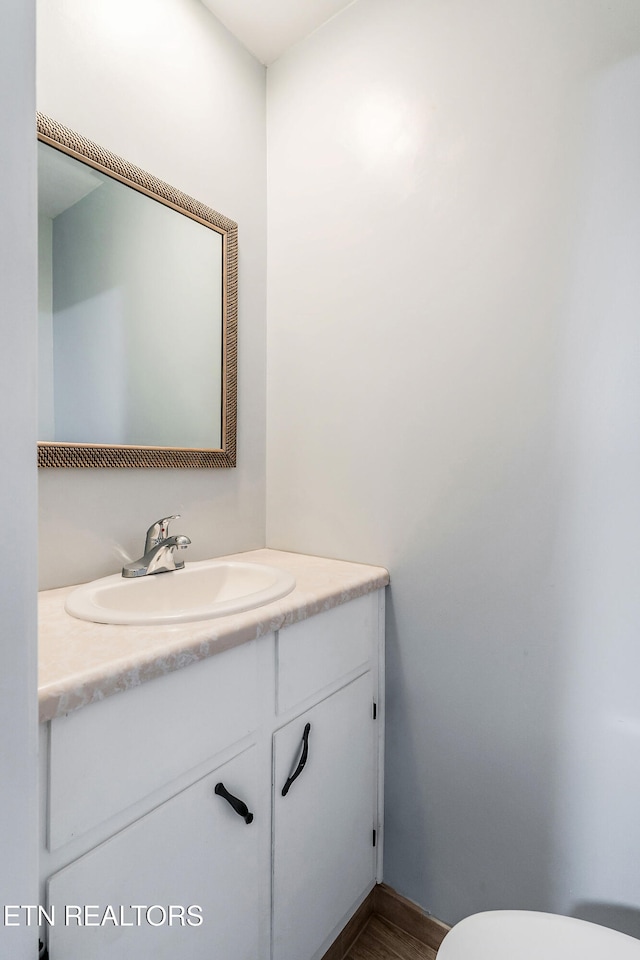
x: 137, y: 298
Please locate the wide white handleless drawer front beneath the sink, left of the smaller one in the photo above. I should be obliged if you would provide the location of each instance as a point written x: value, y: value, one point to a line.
x: 112, y: 754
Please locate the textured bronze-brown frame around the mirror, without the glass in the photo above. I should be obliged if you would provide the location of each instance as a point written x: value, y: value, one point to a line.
x: 66, y: 454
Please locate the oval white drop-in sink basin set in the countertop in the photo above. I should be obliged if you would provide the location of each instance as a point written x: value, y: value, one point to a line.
x: 203, y: 589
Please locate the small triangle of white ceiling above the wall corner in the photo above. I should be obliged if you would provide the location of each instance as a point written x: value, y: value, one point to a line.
x: 267, y: 27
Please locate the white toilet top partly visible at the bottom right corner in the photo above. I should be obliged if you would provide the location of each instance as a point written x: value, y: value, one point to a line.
x: 527, y: 935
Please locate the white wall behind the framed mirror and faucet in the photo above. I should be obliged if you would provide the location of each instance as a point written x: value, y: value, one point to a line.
x: 163, y: 84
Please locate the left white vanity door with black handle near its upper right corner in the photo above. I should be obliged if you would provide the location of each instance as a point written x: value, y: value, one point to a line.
x: 192, y: 851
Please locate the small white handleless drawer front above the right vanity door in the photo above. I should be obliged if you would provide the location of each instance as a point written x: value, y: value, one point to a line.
x: 317, y: 652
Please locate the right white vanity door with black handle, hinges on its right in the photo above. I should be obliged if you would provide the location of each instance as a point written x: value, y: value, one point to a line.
x: 324, y: 860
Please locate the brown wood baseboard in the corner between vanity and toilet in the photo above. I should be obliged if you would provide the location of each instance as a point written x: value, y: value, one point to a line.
x: 391, y: 906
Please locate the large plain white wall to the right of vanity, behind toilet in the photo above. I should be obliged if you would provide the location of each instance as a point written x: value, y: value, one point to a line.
x: 453, y: 391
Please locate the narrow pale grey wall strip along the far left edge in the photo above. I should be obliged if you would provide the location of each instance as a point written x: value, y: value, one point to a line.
x: 18, y: 262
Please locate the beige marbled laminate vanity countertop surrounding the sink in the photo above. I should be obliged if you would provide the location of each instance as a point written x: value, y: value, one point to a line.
x: 81, y: 662
